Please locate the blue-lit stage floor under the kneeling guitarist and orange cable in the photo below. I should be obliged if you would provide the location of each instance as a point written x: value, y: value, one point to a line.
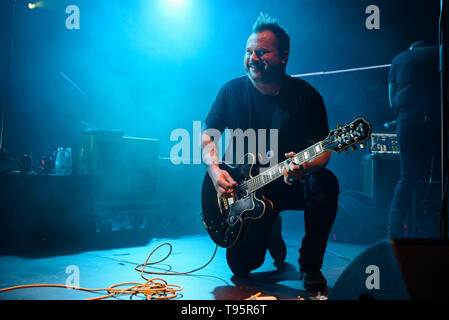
x: 104, y: 268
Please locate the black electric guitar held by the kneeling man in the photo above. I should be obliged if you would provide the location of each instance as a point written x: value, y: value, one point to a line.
x: 224, y: 218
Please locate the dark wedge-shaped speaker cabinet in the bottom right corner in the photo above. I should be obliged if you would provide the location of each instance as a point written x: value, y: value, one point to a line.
x: 399, y: 269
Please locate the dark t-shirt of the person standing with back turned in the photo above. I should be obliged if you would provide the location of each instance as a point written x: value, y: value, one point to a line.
x: 415, y: 73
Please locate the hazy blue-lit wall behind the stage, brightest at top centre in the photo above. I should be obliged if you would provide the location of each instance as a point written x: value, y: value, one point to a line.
x: 149, y: 67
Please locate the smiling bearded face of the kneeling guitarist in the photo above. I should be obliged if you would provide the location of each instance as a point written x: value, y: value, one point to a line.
x: 262, y: 61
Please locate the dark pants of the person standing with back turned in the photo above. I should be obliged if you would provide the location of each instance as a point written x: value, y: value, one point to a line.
x: 419, y: 143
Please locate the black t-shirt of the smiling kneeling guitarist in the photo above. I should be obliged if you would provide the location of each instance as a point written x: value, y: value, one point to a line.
x: 298, y: 113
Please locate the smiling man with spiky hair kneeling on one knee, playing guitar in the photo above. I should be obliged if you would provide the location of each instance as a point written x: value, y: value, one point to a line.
x: 267, y: 98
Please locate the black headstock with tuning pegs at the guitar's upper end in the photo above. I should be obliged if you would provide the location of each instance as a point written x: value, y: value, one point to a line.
x: 356, y: 132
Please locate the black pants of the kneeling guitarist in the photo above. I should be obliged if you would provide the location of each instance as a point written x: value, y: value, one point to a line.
x: 317, y: 196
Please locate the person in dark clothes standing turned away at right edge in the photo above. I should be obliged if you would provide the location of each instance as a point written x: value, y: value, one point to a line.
x: 414, y: 97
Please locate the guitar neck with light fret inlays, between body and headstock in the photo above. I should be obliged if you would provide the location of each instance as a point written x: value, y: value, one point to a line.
x: 271, y: 174
